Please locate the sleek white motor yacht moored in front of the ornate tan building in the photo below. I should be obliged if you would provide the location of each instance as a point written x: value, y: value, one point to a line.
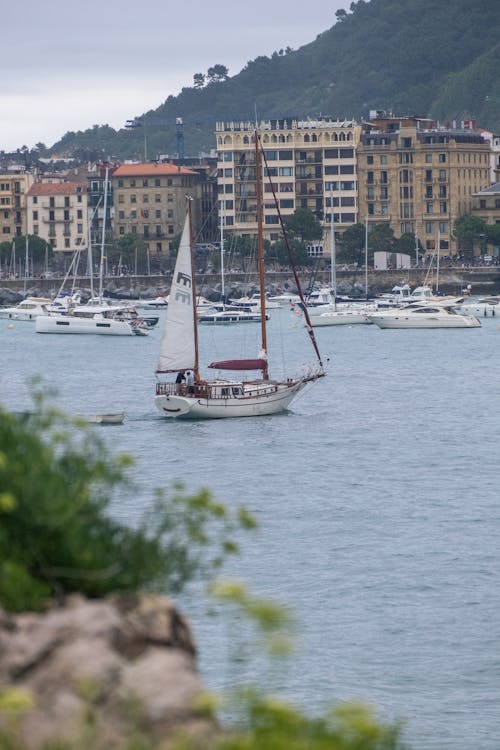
x: 423, y: 315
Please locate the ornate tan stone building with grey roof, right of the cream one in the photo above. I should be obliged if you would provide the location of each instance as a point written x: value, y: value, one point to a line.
x: 419, y: 178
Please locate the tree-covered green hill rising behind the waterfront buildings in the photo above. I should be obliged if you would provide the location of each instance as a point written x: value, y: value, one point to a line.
x: 436, y: 58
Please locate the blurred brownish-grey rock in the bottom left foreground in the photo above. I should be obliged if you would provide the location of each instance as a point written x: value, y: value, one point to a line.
x: 121, y: 664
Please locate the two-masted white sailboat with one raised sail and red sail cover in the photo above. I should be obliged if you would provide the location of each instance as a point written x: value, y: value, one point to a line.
x: 219, y: 398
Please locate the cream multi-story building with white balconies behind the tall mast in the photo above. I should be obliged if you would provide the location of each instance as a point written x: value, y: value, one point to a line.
x: 312, y: 165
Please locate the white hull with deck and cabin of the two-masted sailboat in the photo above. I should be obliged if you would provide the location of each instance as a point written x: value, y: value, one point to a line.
x: 256, y: 399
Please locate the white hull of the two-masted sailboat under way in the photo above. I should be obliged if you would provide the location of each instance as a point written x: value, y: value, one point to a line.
x: 262, y: 402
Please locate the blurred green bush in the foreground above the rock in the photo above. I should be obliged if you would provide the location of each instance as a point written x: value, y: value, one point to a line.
x: 57, y: 536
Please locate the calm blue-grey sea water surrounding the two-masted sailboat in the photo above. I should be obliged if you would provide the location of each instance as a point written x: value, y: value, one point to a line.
x: 377, y: 497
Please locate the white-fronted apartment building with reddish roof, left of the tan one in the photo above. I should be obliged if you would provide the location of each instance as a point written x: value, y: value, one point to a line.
x: 57, y: 212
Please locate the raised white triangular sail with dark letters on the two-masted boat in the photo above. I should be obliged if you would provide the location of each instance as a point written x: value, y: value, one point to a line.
x: 177, y: 349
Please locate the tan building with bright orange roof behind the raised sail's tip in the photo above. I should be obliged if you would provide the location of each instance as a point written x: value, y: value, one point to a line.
x: 150, y: 201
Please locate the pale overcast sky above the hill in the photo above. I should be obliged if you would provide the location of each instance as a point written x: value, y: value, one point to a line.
x: 69, y: 65
